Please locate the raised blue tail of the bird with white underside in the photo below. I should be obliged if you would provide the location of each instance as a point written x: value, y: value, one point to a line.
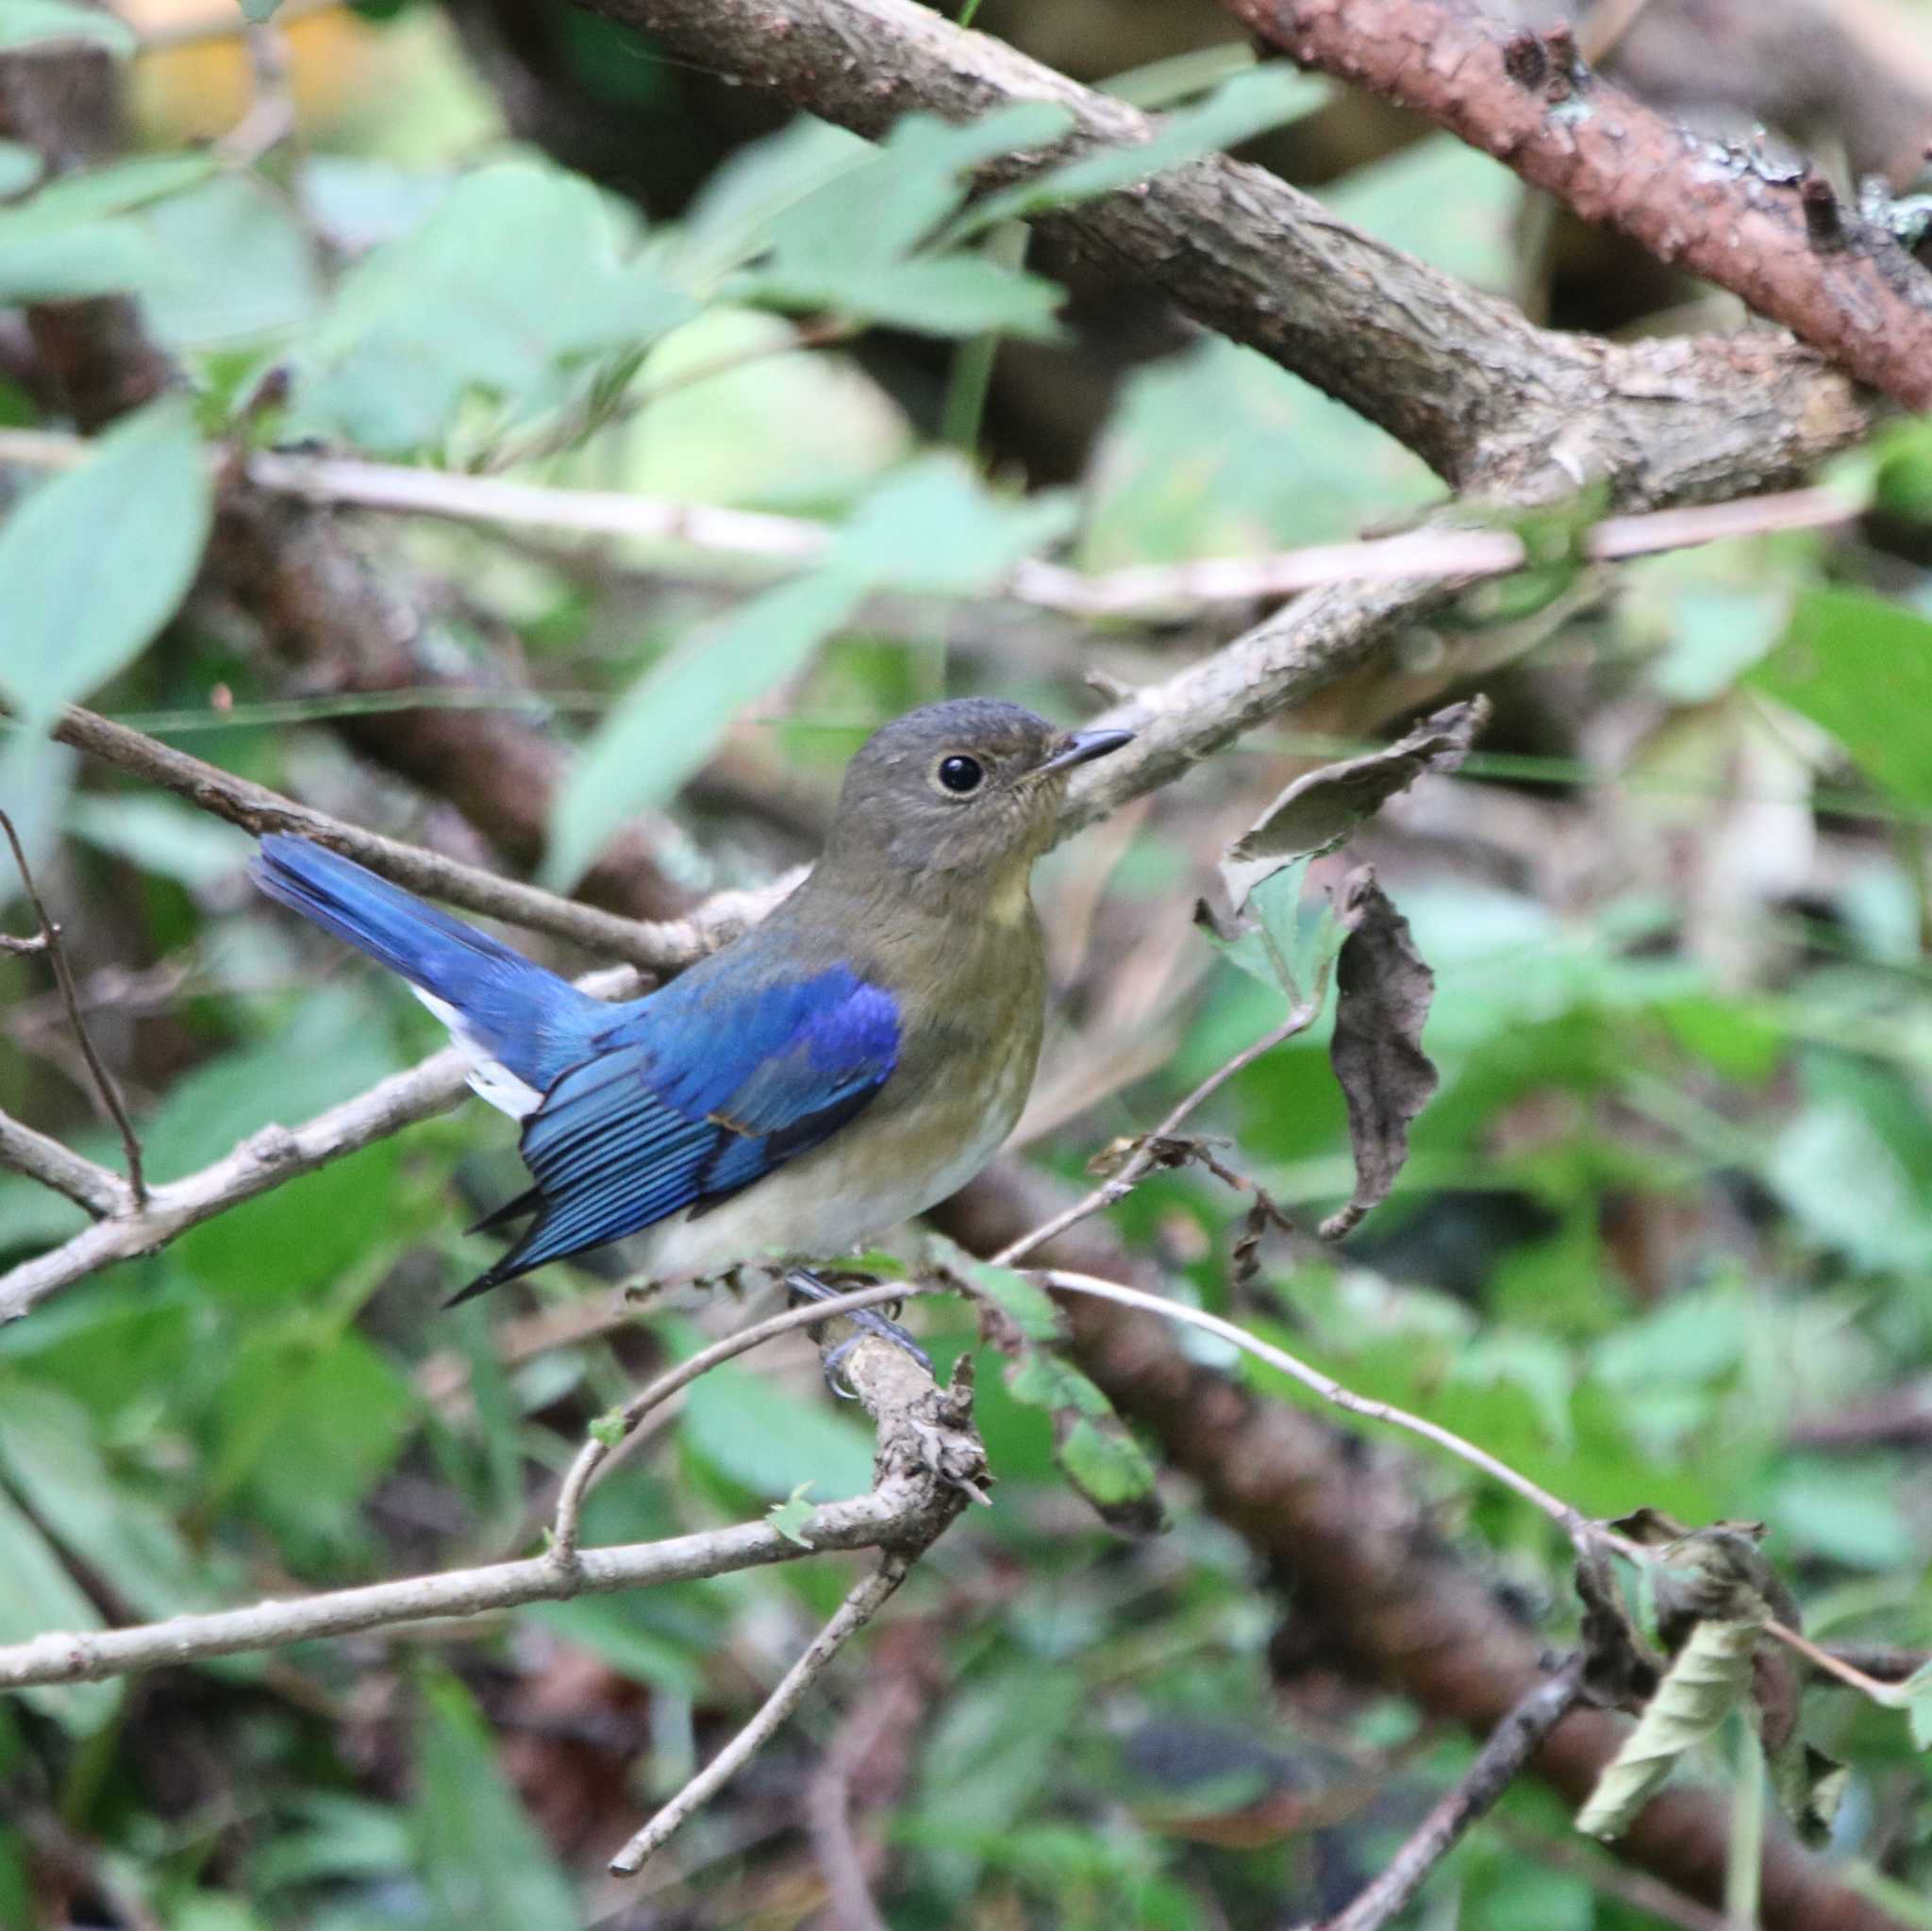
x: 501, y: 1005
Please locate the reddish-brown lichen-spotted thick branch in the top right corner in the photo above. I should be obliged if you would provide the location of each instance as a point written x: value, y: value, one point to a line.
x: 1782, y: 242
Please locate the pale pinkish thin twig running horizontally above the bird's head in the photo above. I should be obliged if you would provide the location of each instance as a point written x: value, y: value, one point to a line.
x: 1152, y: 590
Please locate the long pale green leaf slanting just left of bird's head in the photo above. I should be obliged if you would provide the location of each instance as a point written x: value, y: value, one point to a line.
x: 677, y: 714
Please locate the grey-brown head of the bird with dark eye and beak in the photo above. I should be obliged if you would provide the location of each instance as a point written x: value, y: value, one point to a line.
x: 965, y: 793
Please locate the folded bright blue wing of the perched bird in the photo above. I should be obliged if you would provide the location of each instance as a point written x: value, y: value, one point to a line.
x: 693, y: 1096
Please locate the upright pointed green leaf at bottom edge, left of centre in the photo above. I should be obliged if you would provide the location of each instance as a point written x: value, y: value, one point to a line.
x: 480, y: 1855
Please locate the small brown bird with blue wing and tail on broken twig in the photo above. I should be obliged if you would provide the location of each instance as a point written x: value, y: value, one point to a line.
x: 843, y: 1067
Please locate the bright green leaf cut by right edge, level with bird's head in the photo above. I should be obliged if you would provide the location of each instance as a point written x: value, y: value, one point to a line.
x: 1860, y: 667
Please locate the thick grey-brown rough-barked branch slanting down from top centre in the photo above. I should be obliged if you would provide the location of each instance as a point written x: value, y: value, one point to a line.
x: 1465, y: 381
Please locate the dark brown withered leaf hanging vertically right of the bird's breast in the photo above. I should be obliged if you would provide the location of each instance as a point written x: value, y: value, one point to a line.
x: 1384, y: 997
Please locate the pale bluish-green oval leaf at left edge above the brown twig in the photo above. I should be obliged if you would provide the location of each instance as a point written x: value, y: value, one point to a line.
x: 96, y: 561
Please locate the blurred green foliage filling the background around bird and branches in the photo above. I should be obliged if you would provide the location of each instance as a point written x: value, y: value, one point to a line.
x: 1662, y: 1241
